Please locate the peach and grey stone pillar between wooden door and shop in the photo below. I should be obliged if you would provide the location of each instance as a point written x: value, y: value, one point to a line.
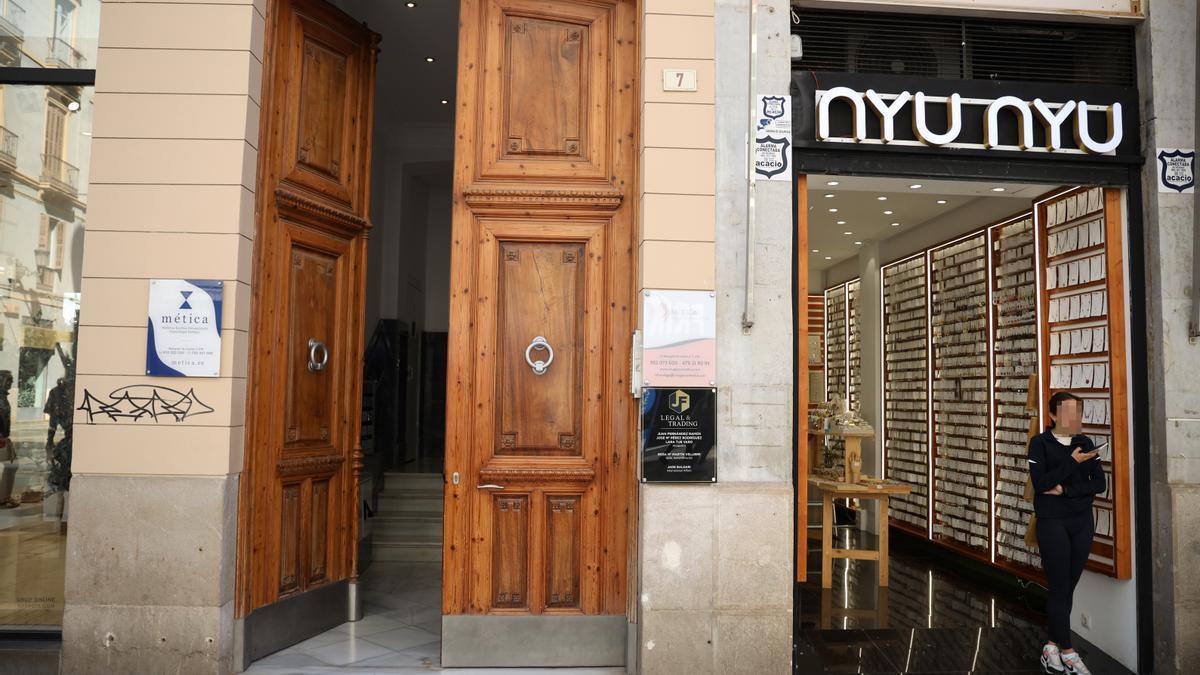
x: 716, y: 561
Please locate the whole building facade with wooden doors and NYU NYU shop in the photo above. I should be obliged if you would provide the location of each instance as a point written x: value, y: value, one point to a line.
x: 478, y: 186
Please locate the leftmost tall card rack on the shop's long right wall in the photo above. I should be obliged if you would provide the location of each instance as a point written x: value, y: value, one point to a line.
x: 905, y: 389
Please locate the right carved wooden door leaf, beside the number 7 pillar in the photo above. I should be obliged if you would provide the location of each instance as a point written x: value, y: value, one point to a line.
x: 541, y: 429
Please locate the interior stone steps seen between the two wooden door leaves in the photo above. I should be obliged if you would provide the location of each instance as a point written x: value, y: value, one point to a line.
x: 409, y: 522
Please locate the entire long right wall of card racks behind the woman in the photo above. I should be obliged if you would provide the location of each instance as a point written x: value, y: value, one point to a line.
x: 965, y: 326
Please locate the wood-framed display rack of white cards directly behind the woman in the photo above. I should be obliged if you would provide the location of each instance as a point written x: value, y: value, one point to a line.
x: 1084, y: 342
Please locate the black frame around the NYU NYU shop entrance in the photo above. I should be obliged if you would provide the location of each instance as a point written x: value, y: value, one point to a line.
x: 1124, y: 171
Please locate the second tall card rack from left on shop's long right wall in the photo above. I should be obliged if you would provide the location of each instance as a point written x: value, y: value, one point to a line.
x: 961, y: 393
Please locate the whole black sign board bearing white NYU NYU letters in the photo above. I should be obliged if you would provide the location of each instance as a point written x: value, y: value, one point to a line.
x: 1031, y: 121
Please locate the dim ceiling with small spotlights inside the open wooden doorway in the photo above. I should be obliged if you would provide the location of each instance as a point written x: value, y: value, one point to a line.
x: 410, y: 89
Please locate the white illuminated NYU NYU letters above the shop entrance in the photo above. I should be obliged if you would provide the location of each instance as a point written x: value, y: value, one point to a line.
x: 1009, y: 123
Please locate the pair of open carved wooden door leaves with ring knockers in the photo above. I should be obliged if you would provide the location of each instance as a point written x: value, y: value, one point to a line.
x: 541, y: 427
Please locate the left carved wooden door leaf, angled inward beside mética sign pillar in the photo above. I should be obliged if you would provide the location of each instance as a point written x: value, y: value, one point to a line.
x: 299, y: 492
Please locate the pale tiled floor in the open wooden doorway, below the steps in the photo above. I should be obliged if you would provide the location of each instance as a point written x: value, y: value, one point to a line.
x: 400, y: 632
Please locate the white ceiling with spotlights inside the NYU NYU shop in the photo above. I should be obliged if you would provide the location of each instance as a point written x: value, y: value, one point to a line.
x: 859, y: 204
